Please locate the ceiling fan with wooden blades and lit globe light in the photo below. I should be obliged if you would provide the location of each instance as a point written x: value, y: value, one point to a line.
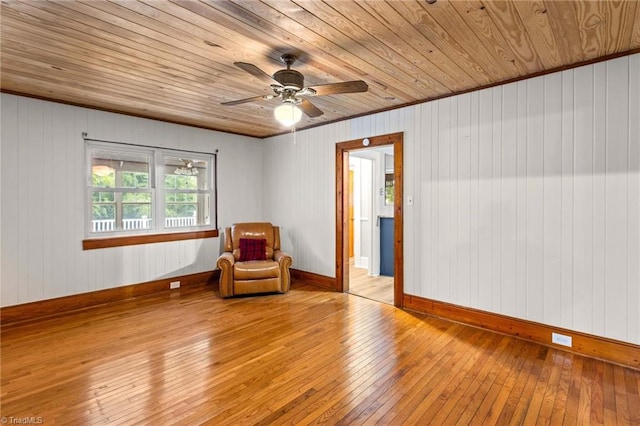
x: 289, y: 85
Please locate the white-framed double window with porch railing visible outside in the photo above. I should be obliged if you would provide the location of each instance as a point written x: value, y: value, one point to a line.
x: 134, y: 190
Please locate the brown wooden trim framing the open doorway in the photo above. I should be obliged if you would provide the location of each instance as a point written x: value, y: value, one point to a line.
x: 342, y: 210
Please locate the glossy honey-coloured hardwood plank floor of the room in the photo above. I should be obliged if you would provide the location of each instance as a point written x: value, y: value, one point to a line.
x: 305, y: 357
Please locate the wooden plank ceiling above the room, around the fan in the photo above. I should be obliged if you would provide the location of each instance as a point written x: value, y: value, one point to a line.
x: 174, y: 60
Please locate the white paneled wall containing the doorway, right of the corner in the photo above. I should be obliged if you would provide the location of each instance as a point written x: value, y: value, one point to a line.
x: 527, y: 197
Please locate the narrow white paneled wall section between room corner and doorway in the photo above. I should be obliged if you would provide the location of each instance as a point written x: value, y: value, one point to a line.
x: 299, y: 189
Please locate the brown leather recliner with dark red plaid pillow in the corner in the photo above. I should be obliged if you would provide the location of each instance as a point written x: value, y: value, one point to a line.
x: 252, y: 261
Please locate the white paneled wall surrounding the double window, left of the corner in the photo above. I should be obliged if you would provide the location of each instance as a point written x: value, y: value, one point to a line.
x: 42, y: 213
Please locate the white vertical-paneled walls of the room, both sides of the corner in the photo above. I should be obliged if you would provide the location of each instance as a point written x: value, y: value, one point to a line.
x: 526, y: 198
